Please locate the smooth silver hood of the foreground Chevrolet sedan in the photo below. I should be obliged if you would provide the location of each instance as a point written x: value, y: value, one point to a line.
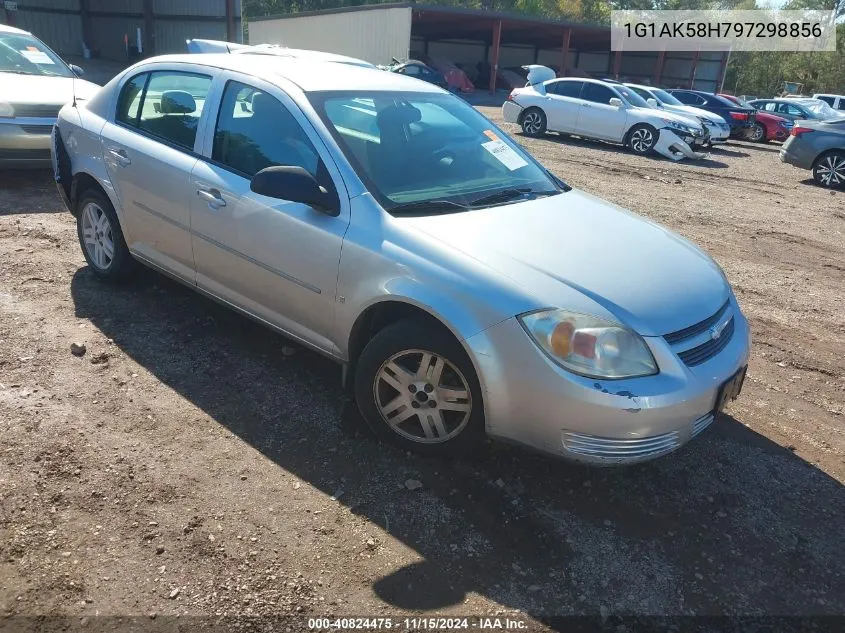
x: 575, y: 251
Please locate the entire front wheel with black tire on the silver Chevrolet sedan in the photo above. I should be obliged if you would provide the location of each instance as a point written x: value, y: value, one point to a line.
x: 416, y: 388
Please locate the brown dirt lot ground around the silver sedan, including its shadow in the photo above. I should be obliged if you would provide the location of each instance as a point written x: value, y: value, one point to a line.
x: 192, y: 463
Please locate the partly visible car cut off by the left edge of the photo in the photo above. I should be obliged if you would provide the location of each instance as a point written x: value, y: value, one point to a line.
x: 34, y: 85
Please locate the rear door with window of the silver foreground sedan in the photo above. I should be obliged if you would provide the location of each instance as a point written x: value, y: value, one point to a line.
x: 149, y: 153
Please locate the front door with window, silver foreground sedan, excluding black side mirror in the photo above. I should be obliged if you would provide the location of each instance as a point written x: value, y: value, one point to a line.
x: 276, y: 259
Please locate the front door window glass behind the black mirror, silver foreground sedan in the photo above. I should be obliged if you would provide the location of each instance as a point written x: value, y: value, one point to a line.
x: 255, y: 130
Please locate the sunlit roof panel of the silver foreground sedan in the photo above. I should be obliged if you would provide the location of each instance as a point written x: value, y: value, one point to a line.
x: 309, y: 75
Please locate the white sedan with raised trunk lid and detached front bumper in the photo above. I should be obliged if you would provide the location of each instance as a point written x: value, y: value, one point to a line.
x: 604, y: 110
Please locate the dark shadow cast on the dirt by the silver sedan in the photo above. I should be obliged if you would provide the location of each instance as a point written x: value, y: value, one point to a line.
x: 731, y: 524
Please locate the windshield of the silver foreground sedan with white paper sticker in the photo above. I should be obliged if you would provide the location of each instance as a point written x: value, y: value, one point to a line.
x: 413, y: 148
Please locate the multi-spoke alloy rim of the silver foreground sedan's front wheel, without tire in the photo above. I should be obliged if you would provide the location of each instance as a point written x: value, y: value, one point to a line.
x: 422, y: 396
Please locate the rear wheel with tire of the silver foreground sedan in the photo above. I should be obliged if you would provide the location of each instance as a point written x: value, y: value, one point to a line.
x: 101, y: 238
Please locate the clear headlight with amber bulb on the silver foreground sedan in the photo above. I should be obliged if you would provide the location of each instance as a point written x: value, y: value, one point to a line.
x: 588, y: 345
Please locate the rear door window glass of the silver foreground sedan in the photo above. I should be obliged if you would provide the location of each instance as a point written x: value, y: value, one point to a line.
x: 171, y: 106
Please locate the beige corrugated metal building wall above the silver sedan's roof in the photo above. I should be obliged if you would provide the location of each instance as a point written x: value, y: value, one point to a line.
x: 374, y: 35
